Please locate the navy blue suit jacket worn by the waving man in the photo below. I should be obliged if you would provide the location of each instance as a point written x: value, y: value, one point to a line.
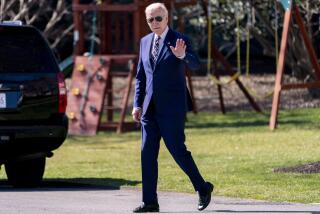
x: 165, y: 81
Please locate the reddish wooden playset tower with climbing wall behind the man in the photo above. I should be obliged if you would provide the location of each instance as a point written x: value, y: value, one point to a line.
x: 119, y: 28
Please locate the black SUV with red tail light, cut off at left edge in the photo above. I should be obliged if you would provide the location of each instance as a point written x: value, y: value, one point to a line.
x: 32, y: 104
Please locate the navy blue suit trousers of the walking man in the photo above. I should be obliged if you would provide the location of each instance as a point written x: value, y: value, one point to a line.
x: 171, y: 129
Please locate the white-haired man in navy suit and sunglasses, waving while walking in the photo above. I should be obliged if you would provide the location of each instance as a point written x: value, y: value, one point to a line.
x: 161, y: 103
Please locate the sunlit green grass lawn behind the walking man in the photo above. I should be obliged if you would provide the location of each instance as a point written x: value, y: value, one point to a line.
x: 236, y: 152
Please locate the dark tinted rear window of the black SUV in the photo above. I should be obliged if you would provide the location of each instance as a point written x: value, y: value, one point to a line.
x: 23, y: 50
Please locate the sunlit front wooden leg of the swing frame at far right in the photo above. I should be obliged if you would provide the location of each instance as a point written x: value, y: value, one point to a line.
x: 280, y: 70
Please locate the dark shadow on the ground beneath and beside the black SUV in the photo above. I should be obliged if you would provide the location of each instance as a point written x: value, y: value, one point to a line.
x: 72, y: 184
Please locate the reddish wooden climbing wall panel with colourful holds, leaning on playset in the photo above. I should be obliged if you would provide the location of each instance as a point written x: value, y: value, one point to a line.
x: 86, y: 94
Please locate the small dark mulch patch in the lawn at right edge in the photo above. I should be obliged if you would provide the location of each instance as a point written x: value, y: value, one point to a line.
x: 305, y: 169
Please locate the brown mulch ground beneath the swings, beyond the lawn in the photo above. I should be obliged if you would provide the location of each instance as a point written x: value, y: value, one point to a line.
x: 259, y: 86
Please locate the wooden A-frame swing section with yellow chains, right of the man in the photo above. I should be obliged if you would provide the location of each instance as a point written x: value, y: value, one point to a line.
x: 291, y: 9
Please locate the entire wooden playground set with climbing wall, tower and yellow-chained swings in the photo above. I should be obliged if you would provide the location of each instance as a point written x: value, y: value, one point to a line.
x: 120, y: 26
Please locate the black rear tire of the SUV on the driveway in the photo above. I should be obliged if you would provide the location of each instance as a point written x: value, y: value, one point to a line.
x: 26, y: 173
